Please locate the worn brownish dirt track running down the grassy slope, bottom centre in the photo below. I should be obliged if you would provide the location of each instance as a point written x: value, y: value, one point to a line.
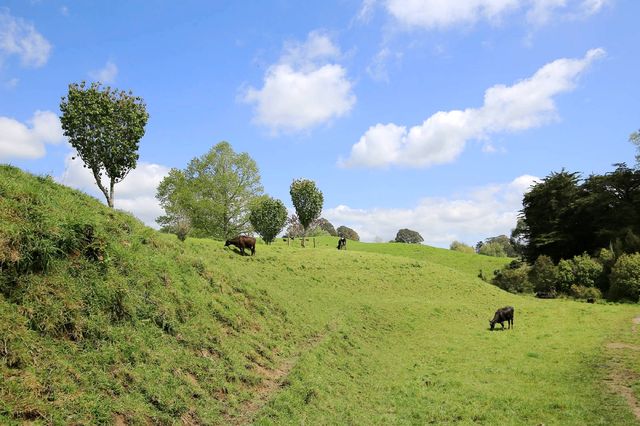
x: 273, y: 381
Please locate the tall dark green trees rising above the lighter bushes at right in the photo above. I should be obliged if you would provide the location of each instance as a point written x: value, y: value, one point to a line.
x: 564, y: 216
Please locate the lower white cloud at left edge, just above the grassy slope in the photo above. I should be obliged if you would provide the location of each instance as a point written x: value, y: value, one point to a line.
x: 18, y: 140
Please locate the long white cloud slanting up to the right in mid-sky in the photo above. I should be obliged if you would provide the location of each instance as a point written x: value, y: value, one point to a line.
x: 442, y: 137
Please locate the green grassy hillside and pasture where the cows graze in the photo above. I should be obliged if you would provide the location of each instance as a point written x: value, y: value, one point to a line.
x: 103, y: 320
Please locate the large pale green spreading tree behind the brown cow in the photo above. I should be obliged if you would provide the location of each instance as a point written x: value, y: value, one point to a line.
x: 214, y: 192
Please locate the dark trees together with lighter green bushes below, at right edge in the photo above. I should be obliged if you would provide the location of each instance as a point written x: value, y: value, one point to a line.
x: 579, y: 236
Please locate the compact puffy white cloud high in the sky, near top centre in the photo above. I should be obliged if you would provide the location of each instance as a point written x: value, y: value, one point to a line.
x: 304, y: 89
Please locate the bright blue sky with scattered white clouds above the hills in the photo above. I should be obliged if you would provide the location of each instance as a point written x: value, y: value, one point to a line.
x: 432, y: 115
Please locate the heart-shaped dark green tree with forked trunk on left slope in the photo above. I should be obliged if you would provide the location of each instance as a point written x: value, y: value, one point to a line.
x: 104, y: 126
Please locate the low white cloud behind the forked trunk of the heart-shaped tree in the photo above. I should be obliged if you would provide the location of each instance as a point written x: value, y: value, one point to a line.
x: 135, y: 194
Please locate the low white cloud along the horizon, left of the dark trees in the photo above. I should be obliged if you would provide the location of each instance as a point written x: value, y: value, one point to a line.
x: 481, y: 213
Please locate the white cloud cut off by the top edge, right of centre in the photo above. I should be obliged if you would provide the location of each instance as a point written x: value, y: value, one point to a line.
x: 443, y: 14
